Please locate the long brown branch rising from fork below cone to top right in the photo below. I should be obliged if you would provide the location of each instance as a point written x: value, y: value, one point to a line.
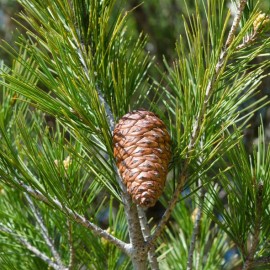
x: 196, y: 128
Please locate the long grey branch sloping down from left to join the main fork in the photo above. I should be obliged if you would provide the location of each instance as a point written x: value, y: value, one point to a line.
x: 126, y: 248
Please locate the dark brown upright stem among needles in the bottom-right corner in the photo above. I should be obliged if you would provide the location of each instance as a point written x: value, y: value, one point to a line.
x: 257, y: 229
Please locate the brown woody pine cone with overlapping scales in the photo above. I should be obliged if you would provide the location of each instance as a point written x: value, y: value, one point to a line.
x: 142, y: 152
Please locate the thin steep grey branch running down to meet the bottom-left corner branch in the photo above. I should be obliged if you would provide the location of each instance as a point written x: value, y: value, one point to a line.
x: 44, y: 231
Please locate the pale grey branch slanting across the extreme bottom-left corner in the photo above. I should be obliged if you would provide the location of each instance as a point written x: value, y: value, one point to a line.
x: 31, y: 248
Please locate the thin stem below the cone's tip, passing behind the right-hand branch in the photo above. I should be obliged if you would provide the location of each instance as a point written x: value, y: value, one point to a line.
x: 146, y: 234
